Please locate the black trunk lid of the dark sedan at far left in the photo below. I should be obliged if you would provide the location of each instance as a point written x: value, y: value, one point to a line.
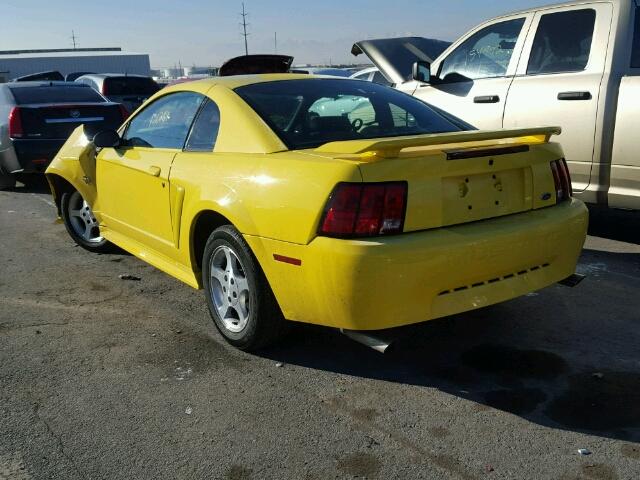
x: 49, y: 121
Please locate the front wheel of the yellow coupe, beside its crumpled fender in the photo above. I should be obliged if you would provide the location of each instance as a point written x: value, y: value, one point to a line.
x: 81, y: 224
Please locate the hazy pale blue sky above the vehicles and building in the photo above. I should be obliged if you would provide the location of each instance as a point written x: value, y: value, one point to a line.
x: 208, y: 32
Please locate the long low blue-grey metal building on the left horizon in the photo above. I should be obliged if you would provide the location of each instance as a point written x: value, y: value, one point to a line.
x: 16, y: 63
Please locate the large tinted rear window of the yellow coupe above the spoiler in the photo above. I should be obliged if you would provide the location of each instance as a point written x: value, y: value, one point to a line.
x: 309, y: 113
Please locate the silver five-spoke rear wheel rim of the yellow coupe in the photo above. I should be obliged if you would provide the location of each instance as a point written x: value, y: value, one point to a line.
x: 229, y: 289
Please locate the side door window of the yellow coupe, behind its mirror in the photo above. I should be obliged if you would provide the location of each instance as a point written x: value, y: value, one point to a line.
x: 165, y: 123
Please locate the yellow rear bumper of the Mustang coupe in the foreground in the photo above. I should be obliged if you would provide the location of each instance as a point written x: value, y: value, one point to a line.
x: 406, y: 279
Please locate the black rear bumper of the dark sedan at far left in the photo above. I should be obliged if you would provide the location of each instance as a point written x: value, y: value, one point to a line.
x: 30, y: 155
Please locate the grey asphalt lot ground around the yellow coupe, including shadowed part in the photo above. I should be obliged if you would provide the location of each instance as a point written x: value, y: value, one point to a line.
x: 106, y: 378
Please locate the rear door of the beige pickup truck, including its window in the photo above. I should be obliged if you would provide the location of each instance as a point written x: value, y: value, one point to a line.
x: 558, y: 80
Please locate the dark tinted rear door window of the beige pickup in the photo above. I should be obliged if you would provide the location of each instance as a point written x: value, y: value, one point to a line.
x: 562, y: 42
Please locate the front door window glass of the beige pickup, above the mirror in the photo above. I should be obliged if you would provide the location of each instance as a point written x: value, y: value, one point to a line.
x: 485, y: 54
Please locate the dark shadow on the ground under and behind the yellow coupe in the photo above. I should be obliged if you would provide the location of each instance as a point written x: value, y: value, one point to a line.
x: 547, y: 358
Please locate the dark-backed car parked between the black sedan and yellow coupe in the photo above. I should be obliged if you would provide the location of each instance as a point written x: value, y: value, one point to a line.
x: 128, y: 90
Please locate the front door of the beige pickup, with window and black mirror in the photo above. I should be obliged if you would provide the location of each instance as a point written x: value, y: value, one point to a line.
x: 472, y: 80
